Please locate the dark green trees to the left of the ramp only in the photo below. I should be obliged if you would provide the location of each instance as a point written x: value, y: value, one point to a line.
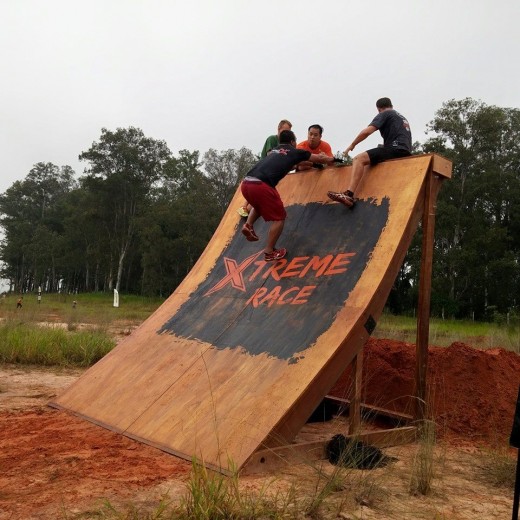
x: 137, y: 221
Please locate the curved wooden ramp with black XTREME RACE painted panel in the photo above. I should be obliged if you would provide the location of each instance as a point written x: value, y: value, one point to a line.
x: 240, y: 355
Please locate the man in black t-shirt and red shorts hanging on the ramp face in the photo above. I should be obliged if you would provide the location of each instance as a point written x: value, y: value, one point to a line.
x: 259, y: 189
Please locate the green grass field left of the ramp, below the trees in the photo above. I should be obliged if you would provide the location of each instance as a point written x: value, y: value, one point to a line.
x: 59, y: 332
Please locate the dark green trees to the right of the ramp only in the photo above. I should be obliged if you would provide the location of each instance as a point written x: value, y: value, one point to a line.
x: 477, y: 236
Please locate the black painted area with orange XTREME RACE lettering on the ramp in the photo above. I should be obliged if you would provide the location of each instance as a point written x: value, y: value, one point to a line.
x: 282, y: 309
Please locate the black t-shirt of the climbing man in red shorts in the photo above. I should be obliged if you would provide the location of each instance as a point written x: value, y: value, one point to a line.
x: 278, y: 163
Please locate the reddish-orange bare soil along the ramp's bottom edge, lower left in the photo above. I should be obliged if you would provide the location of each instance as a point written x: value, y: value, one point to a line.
x: 48, y: 458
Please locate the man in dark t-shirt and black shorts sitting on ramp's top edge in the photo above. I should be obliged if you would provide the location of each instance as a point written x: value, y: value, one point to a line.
x: 397, y: 142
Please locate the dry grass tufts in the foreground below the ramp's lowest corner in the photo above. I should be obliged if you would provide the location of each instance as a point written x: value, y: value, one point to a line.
x: 212, y: 496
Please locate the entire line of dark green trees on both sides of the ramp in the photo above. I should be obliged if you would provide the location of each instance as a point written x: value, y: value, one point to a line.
x: 139, y: 217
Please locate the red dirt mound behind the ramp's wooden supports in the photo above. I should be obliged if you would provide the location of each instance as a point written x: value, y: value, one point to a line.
x: 472, y: 392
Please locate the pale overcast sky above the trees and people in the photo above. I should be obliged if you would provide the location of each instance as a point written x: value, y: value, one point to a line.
x: 203, y: 74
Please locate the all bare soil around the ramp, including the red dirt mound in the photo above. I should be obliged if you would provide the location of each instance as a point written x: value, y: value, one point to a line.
x: 54, y: 465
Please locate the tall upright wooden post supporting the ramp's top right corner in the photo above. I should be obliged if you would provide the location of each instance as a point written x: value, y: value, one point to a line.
x: 432, y: 187
